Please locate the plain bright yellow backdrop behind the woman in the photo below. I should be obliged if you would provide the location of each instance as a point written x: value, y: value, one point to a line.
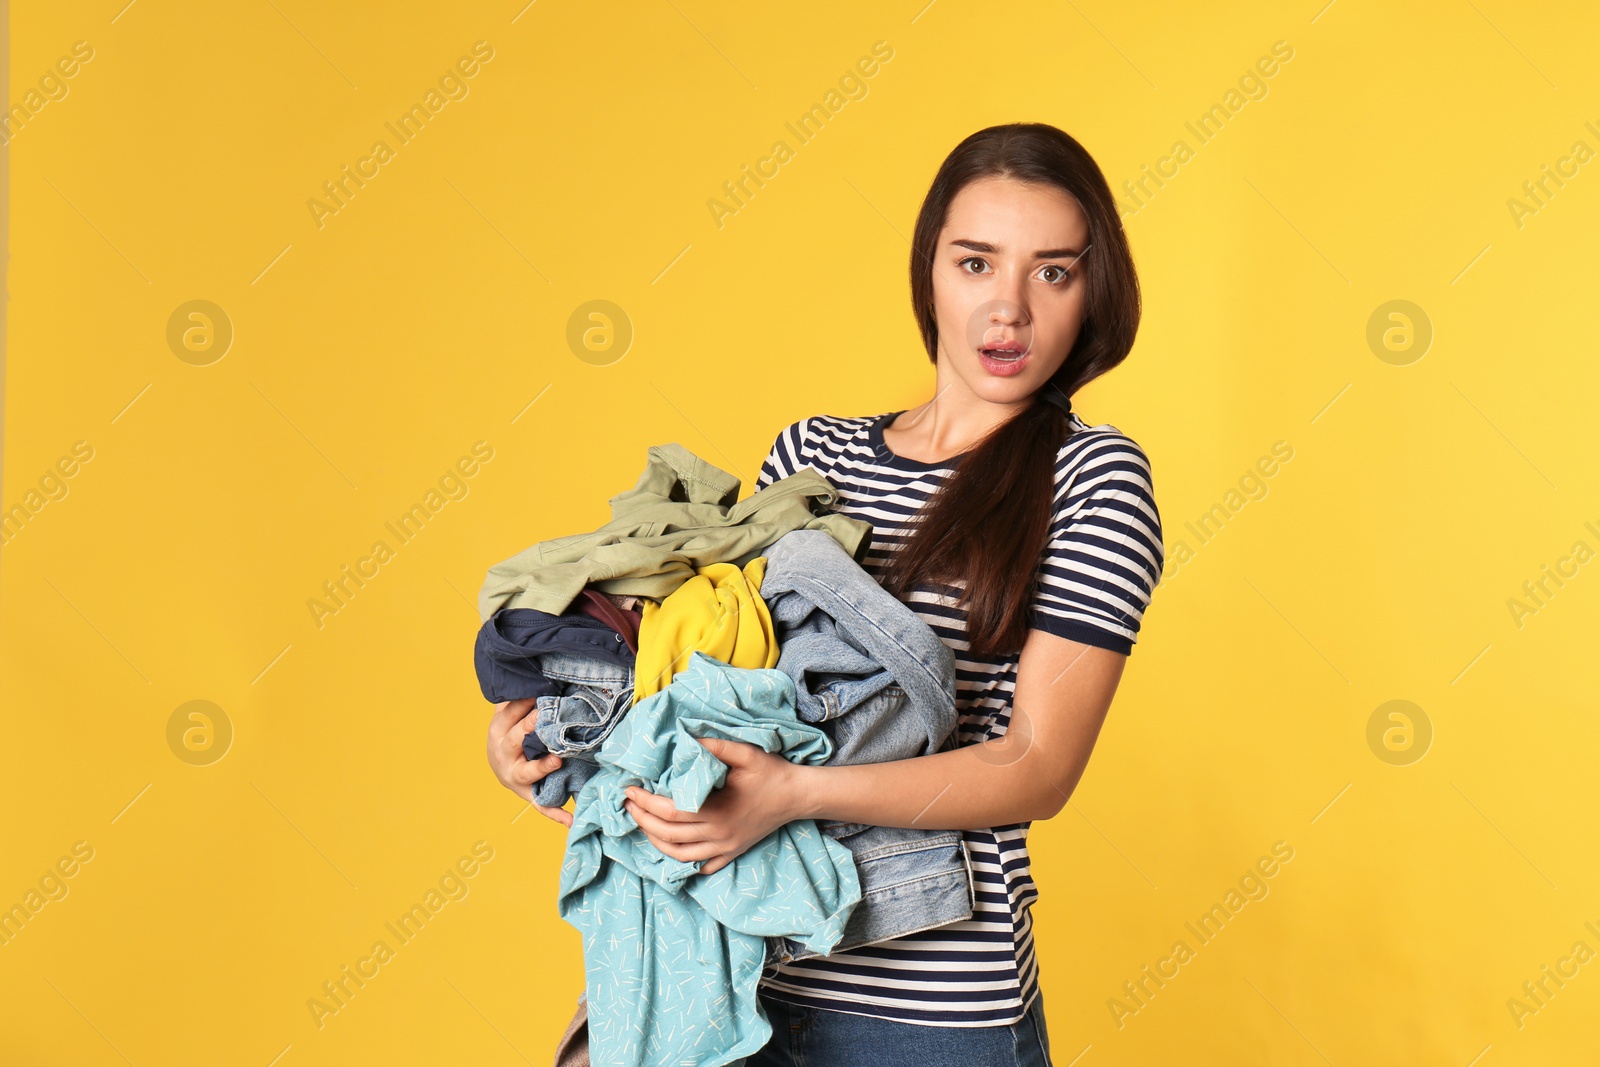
x: 431, y: 311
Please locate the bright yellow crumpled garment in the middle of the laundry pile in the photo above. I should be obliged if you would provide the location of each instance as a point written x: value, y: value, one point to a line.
x: 719, y: 612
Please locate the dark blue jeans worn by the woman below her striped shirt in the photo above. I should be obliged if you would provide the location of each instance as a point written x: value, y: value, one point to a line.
x: 814, y: 1037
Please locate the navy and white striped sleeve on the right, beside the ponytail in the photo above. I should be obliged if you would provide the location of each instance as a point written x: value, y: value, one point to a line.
x: 1105, y: 556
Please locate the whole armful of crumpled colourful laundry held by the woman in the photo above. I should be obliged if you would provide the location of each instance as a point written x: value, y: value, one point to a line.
x: 697, y: 615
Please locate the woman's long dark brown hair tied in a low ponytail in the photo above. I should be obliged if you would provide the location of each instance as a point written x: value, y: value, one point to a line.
x: 990, y: 522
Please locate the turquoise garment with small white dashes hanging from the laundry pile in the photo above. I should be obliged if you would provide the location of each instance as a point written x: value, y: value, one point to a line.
x: 674, y: 957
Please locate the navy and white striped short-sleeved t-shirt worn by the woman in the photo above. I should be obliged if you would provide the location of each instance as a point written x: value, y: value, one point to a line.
x: 1095, y: 581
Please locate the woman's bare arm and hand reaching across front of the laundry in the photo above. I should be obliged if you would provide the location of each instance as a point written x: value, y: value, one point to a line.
x: 1063, y: 693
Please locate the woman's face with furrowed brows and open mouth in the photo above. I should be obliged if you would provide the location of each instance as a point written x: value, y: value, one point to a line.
x: 1009, y: 287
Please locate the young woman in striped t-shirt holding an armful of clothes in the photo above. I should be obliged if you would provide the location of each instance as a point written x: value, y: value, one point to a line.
x: 1028, y: 540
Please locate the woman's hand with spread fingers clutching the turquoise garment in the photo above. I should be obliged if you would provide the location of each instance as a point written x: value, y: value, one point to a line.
x: 761, y: 796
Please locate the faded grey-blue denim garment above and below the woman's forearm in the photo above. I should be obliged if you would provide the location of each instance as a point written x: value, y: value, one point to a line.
x: 882, y: 685
